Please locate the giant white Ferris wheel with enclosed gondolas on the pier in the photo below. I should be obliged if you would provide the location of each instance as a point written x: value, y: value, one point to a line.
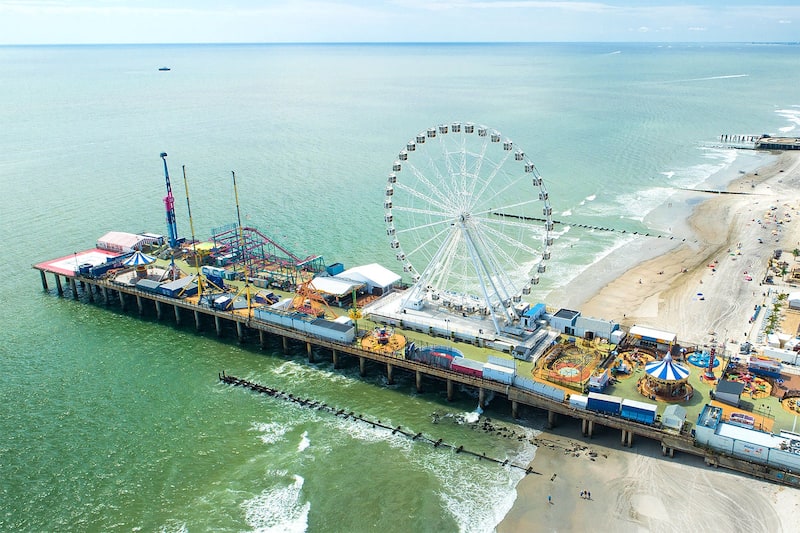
x: 469, y: 219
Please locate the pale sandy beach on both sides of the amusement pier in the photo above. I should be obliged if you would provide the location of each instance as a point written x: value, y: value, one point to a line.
x: 700, y: 290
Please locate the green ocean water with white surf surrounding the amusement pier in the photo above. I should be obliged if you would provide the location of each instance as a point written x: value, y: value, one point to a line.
x: 115, y: 423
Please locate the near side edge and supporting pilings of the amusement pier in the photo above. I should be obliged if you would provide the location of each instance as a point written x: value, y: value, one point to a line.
x: 245, y: 326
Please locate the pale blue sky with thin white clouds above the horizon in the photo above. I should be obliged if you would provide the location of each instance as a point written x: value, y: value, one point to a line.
x: 334, y: 21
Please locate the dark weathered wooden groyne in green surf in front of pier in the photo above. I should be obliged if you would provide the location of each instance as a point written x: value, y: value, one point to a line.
x: 376, y: 424
